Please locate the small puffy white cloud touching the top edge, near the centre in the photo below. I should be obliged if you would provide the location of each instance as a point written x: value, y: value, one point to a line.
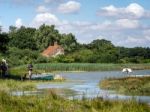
x: 69, y: 7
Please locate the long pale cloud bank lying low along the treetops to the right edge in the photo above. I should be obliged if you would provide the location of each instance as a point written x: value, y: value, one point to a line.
x: 122, y: 32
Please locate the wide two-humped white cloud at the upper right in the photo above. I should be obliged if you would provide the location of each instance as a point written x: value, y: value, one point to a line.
x: 132, y: 11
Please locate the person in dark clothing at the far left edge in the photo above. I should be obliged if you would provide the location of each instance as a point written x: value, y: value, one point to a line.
x: 4, y: 68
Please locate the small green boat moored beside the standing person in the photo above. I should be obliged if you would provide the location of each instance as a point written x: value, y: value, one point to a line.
x: 42, y: 77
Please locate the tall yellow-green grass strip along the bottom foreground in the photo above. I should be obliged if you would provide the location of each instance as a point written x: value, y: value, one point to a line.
x: 53, y: 103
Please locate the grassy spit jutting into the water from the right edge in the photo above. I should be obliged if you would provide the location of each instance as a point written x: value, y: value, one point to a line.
x: 128, y: 85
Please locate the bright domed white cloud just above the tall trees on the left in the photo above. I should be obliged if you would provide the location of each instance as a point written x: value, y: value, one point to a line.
x: 45, y: 18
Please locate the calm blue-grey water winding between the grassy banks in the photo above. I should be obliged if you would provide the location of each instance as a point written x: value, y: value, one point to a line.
x: 86, y: 84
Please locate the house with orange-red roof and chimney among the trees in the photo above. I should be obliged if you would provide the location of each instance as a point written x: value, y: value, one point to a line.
x: 53, y: 51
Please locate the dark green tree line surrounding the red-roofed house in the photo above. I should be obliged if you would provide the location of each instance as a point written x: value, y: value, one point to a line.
x: 25, y: 44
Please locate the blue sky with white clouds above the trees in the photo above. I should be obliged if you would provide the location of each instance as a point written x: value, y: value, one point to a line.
x: 123, y: 22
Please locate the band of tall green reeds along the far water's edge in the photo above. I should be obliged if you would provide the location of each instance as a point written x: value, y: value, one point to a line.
x: 50, y: 67
